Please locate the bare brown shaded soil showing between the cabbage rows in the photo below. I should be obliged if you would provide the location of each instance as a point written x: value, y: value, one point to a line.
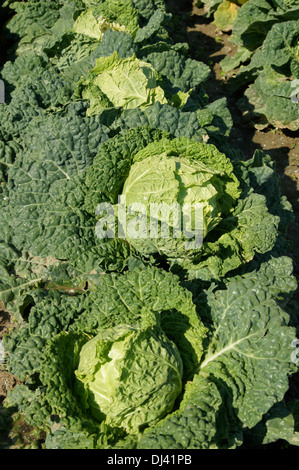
x: 210, y: 45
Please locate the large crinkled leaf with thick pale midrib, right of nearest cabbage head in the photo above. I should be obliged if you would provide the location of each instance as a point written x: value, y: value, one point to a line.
x: 246, y: 337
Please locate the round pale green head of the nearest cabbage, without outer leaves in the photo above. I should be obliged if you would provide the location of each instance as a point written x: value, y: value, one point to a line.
x: 129, y: 376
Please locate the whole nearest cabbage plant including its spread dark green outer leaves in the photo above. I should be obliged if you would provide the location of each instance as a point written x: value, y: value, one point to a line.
x: 136, y: 362
